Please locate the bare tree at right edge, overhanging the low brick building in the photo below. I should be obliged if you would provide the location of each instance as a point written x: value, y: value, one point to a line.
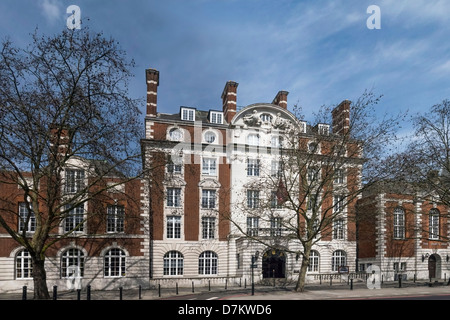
x: 425, y: 164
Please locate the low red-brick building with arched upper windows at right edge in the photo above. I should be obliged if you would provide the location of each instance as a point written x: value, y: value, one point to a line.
x: 403, y: 232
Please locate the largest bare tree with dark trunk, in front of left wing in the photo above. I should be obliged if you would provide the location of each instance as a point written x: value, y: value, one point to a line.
x: 64, y: 104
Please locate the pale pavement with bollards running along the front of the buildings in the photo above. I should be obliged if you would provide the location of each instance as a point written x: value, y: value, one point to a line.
x: 338, y: 291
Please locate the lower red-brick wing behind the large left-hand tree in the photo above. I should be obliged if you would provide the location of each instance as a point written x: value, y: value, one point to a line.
x: 105, y: 251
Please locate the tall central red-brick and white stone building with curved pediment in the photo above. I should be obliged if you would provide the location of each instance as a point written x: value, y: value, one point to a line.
x: 202, y: 162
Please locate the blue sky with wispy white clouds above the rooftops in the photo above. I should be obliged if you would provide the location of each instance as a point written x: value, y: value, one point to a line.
x: 321, y: 52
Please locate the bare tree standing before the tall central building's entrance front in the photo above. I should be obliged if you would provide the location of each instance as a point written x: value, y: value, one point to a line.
x: 312, y: 195
